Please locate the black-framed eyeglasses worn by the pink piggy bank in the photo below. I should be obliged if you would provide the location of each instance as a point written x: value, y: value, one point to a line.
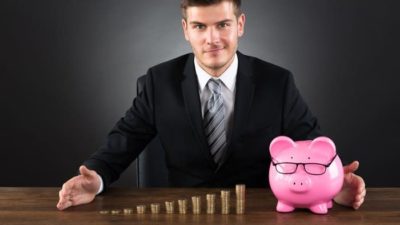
x: 310, y: 168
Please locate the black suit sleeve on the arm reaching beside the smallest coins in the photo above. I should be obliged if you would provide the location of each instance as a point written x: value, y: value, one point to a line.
x: 127, y: 139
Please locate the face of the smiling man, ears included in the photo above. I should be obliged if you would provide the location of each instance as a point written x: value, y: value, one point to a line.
x: 213, y: 33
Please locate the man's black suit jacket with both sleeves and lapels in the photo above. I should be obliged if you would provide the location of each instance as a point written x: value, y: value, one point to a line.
x: 267, y: 104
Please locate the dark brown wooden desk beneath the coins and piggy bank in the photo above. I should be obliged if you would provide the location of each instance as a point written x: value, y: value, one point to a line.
x: 38, y: 206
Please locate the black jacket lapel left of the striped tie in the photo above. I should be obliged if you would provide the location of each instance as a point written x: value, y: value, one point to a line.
x: 191, y: 98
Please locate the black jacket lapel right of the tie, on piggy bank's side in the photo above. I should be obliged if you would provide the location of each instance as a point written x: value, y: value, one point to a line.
x: 243, y: 100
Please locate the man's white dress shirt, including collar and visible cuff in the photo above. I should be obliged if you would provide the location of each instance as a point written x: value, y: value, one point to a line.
x: 228, y: 79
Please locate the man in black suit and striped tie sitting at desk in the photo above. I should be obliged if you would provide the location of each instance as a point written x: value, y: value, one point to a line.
x: 215, y: 111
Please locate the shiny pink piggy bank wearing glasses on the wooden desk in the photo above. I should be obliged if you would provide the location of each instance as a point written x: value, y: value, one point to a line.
x: 305, y: 174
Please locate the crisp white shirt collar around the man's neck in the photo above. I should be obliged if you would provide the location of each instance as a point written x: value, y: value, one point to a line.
x: 228, y: 77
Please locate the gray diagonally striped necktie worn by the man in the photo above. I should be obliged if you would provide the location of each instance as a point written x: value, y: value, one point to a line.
x: 214, y: 124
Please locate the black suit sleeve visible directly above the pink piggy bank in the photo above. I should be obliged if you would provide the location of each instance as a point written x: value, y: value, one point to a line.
x: 298, y: 121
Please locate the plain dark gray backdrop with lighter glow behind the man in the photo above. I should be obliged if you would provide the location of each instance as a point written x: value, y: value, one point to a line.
x: 69, y: 67
